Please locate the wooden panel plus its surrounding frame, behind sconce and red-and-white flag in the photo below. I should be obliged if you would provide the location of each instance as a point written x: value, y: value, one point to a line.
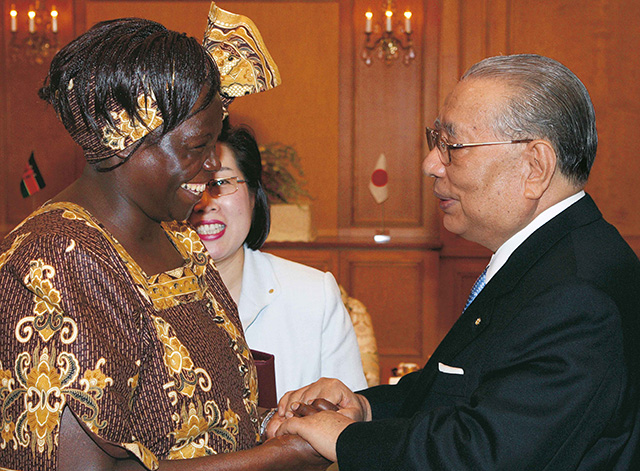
x: 383, y: 111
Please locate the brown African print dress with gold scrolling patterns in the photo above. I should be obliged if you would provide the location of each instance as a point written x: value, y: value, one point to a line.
x: 156, y: 365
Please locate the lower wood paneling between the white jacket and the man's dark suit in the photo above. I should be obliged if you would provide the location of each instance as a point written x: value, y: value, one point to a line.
x: 397, y: 285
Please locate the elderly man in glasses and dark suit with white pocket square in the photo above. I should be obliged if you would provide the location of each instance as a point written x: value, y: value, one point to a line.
x: 541, y: 369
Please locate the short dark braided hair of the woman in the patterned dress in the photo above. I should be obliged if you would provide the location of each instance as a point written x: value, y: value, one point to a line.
x: 107, y: 71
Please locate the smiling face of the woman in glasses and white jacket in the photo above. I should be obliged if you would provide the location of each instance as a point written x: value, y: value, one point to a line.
x: 223, y: 223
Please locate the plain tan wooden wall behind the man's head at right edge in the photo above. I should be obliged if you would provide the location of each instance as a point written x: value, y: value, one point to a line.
x: 602, y: 50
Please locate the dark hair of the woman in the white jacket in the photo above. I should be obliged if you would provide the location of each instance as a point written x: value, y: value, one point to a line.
x: 244, y: 147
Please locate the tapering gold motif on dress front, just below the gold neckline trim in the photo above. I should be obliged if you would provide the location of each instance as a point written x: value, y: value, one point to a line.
x: 178, y: 360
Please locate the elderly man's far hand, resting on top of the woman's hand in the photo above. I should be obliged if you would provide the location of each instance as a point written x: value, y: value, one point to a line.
x: 351, y: 405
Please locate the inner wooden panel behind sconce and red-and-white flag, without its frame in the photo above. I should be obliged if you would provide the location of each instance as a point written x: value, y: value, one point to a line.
x: 387, y: 122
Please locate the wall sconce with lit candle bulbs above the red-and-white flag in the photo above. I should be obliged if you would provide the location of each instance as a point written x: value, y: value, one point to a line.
x: 388, y: 46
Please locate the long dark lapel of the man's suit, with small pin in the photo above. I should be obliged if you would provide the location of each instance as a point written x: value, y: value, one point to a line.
x: 478, y: 315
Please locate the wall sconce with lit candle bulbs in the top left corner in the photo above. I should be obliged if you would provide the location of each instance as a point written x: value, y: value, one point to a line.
x: 34, y: 32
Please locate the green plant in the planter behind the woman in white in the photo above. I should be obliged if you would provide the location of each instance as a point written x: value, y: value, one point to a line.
x: 282, y: 174
